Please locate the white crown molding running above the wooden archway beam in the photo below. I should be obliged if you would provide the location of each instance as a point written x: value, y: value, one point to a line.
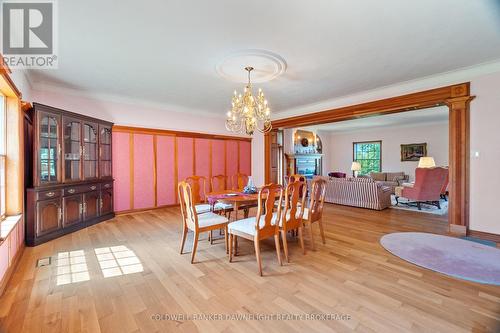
x: 401, y: 88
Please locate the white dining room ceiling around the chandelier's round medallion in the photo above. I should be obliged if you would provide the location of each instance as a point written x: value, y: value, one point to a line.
x: 166, y: 52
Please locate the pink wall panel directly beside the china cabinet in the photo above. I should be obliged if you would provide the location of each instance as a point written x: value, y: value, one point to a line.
x: 121, y: 171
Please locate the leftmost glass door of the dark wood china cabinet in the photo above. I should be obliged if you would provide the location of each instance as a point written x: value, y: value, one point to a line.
x: 49, y: 148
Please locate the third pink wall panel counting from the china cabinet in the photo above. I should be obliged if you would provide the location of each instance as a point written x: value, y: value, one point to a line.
x: 165, y: 173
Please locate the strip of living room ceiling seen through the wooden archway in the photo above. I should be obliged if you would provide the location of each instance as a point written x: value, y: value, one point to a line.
x: 403, y: 119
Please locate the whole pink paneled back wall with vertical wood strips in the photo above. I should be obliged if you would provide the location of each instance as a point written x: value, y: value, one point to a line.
x: 193, y: 155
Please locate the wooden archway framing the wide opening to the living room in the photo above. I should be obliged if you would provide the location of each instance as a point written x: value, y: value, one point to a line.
x: 456, y: 97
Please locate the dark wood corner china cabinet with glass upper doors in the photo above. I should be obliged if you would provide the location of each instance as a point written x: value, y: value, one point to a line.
x: 72, y: 184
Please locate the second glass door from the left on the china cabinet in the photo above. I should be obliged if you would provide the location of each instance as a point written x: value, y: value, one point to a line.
x: 72, y: 149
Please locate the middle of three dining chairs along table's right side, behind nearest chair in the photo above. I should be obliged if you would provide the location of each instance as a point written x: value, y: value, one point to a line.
x: 295, y: 196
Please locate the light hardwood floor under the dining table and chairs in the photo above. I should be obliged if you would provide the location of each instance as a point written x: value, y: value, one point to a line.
x: 350, y: 275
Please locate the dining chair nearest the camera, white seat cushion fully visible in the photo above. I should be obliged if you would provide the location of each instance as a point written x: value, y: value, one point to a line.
x: 260, y: 227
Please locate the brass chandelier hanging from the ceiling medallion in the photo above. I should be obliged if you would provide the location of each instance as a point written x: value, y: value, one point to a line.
x: 248, y: 112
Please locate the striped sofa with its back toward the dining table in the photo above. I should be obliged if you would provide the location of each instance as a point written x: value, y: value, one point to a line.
x: 357, y: 192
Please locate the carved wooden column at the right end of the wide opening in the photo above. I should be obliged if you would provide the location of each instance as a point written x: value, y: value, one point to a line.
x: 459, y: 164
